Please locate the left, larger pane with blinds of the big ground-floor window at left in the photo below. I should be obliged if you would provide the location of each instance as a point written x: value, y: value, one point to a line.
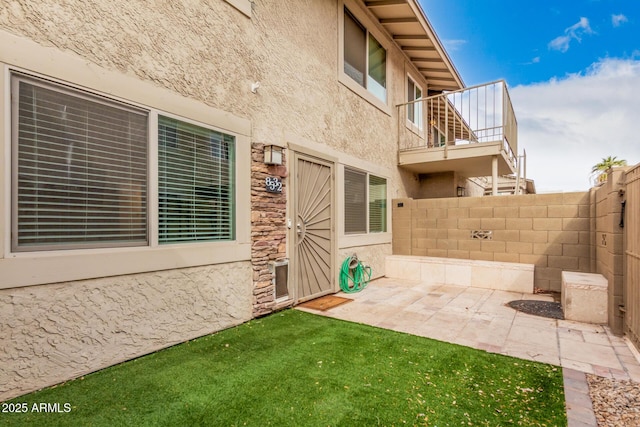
x: 79, y: 168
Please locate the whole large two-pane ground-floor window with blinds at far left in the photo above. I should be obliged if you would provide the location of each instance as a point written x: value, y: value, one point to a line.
x: 80, y: 173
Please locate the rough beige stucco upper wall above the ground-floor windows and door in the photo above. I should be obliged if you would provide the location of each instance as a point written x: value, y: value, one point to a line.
x: 211, y: 52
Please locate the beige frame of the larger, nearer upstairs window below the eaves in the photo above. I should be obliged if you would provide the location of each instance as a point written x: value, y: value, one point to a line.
x: 371, y: 29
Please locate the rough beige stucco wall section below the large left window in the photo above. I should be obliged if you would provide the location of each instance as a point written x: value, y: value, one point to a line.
x: 55, y: 332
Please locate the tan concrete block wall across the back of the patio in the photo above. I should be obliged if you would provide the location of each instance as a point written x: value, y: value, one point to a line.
x: 551, y: 231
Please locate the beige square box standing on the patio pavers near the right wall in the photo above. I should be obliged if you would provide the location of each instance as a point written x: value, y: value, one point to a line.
x: 584, y: 297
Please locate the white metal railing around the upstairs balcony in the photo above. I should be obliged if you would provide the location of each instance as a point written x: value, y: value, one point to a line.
x: 476, y: 115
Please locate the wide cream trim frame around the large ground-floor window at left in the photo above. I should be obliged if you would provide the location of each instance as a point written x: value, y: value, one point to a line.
x: 42, y: 267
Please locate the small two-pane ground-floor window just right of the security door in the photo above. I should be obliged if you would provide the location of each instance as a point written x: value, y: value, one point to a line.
x: 365, y: 203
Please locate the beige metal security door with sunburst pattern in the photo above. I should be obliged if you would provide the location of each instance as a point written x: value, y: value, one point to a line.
x: 313, y: 223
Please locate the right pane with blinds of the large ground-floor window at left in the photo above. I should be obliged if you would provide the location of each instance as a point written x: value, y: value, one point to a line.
x: 195, y: 183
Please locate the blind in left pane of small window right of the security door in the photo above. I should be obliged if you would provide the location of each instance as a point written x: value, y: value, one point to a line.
x: 355, y: 201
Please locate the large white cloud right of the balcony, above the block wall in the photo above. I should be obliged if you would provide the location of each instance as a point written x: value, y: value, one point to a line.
x: 568, y: 125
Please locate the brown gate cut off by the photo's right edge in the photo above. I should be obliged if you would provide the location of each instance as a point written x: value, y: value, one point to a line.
x: 632, y: 255
